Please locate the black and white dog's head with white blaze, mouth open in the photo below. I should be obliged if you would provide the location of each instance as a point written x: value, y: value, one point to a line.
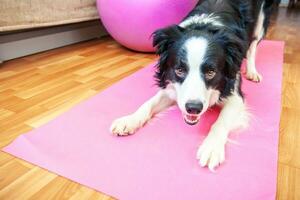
x: 201, y: 64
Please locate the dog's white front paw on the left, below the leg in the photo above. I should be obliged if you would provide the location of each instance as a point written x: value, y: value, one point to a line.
x: 125, y: 125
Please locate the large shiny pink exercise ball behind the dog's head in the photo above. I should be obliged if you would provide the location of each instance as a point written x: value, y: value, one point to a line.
x: 131, y: 22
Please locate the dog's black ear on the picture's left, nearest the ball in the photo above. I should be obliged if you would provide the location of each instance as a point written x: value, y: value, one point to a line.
x: 164, y: 38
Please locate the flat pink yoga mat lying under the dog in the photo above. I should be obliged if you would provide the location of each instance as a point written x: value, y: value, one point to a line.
x: 159, y: 162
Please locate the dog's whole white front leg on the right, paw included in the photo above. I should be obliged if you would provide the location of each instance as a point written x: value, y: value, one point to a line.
x: 232, y: 116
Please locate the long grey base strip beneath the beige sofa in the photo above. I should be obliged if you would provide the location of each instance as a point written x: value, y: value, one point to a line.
x: 16, y: 45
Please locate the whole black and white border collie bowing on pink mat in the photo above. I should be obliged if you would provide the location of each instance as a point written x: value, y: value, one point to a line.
x: 199, y: 67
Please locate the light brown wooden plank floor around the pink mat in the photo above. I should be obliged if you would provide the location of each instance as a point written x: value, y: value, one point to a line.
x: 37, y: 88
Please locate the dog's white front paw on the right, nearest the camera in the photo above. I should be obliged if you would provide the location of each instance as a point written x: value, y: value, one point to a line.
x: 212, y: 152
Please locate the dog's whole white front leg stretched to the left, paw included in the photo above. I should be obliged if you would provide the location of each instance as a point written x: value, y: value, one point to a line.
x: 129, y: 124
